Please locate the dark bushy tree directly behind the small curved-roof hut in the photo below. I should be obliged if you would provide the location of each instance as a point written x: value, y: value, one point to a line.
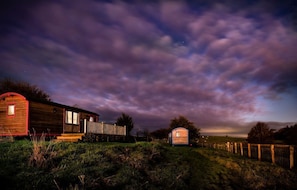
x: 182, y: 121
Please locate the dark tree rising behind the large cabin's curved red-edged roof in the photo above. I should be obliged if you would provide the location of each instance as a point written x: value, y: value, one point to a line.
x: 29, y: 91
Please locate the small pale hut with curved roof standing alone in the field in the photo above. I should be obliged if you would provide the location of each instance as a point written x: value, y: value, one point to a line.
x: 179, y: 136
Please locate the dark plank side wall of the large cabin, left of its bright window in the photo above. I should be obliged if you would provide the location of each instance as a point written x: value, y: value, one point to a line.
x: 46, y: 118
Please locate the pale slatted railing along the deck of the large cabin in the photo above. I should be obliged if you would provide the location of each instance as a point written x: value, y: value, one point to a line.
x: 105, y: 129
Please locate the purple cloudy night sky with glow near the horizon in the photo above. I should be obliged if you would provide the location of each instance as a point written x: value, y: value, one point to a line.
x: 221, y: 64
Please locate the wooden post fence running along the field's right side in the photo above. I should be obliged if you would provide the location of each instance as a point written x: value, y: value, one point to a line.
x: 283, y: 155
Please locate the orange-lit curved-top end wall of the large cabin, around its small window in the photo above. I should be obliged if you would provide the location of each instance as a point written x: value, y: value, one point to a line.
x: 16, y: 124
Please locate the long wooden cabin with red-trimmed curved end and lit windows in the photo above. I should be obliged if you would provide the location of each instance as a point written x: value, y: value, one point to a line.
x: 20, y: 115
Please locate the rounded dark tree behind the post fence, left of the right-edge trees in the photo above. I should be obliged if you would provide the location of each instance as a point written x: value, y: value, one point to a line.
x: 260, y: 133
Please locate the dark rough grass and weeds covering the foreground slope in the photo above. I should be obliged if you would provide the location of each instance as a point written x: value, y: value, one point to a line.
x: 132, y: 166
